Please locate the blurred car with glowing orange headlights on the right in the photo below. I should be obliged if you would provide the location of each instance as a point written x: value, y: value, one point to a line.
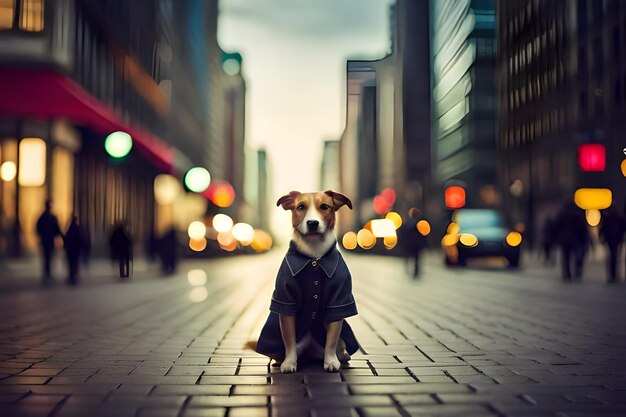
x: 480, y: 233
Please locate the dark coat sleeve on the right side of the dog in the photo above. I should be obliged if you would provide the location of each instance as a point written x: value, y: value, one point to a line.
x: 340, y: 301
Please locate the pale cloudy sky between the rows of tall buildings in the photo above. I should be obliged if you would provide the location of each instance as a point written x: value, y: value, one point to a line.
x: 294, y: 55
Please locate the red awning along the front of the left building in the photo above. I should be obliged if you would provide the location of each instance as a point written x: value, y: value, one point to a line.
x: 45, y: 94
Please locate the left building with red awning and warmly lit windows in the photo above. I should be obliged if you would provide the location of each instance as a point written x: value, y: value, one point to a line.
x: 72, y: 72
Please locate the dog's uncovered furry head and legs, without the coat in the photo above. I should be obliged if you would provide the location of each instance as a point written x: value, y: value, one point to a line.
x: 313, y: 221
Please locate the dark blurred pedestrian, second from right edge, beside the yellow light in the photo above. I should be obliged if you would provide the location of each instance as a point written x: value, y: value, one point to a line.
x: 573, y: 238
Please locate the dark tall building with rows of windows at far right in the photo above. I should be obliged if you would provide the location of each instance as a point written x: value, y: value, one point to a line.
x: 561, y: 85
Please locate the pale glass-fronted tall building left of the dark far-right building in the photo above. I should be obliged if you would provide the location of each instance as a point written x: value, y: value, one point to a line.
x: 464, y: 95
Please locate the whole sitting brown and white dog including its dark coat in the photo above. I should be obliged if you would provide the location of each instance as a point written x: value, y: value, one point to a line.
x: 313, y: 292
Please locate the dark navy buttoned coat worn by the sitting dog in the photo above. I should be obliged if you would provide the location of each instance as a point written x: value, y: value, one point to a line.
x: 316, y: 291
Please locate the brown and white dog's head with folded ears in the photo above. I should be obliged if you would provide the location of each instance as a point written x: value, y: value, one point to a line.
x: 313, y: 214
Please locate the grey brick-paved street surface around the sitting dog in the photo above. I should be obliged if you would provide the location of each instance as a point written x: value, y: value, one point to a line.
x: 476, y: 342
